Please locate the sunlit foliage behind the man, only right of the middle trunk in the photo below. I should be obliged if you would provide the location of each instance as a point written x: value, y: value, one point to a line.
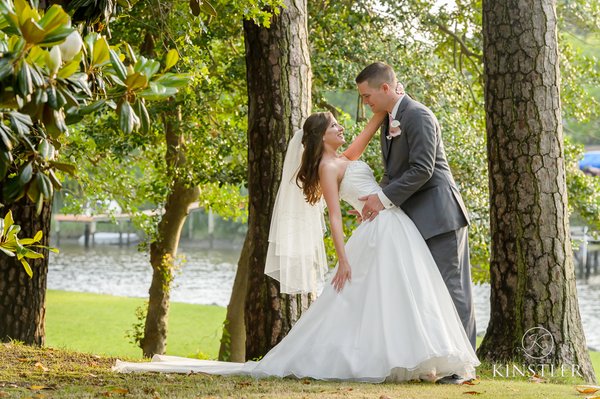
x: 436, y: 52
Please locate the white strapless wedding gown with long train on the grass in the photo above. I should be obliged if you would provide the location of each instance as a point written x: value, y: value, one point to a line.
x: 394, y: 321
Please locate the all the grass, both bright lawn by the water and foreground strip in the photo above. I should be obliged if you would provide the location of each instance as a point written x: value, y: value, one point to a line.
x: 86, y: 333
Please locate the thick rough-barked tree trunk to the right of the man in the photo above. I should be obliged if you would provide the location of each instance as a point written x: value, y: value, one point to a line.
x: 532, y: 274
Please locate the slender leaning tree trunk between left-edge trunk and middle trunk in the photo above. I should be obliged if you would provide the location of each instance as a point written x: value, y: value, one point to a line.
x: 163, y: 250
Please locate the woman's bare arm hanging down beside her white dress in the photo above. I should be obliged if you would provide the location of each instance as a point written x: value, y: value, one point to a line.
x: 329, y: 187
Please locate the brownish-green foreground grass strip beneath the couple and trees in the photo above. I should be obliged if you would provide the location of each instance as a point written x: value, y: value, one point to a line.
x: 29, y: 372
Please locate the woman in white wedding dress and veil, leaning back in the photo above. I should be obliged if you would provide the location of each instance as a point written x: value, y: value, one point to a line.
x: 386, y: 314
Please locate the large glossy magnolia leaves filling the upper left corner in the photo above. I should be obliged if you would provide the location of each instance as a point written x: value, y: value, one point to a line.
x: 51, y: 78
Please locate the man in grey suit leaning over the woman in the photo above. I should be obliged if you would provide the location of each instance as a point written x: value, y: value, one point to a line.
x: 417, y: 178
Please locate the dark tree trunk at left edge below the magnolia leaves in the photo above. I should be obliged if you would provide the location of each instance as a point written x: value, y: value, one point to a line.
x: 23, y: 299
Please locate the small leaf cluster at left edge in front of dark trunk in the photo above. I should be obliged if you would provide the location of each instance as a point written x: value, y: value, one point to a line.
x: 12, y: 245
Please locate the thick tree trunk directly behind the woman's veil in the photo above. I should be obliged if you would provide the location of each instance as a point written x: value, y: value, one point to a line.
x: 279, y: 98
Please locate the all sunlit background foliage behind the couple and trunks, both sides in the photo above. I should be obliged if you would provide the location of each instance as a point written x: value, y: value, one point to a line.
x: 436, y: 52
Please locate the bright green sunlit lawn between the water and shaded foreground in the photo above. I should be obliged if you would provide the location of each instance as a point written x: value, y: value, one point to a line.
x: 98, y: 324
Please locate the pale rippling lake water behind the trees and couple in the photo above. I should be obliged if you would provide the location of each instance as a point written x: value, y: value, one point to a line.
x: 206, y: 277
